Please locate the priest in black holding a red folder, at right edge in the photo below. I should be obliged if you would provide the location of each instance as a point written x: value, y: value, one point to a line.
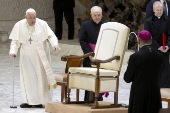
x: 158, y: 25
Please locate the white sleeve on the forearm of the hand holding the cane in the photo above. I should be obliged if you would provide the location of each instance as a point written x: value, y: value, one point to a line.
x: 15, y: 44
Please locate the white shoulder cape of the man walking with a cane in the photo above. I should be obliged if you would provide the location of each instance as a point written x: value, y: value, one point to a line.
x: 20, y: 31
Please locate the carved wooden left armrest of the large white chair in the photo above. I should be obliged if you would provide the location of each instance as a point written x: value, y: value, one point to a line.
x: 65, y: 58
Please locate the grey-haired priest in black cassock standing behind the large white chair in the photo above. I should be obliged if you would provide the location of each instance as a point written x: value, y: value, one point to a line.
x: 88, y: 34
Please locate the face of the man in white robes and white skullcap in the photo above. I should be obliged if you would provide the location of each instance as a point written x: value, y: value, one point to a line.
x: 31, y: 18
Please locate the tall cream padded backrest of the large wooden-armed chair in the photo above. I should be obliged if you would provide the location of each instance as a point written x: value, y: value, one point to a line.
x: 112, y: 40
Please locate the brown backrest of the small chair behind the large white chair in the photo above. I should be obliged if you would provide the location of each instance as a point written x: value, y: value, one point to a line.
x: 73, y: 63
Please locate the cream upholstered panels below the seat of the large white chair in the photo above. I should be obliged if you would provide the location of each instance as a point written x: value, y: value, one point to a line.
x: 87, y: 82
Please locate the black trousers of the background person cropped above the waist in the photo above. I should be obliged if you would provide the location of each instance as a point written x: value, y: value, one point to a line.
x: 69, y: 17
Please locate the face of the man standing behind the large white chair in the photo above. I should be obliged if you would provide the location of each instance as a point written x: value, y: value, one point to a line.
x: 96, y: 16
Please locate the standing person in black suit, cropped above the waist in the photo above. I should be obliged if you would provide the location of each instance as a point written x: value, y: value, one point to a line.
x: 66, y: 7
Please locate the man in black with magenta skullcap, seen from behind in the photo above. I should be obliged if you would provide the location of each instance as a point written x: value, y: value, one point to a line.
x: 144, y: 70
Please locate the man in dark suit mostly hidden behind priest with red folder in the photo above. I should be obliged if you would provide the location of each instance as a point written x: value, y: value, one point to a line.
x: 149, y: 8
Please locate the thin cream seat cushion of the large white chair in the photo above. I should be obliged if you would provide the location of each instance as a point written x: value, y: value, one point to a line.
x: 93, y: 71
